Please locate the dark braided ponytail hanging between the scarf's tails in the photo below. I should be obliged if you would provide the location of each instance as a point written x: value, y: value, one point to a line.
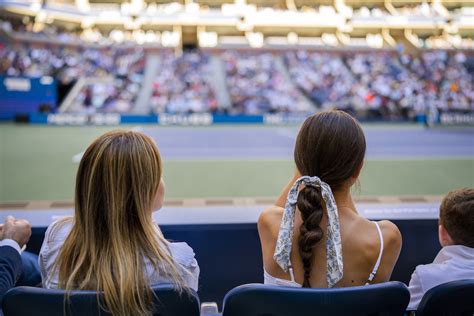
x: 309, y: 204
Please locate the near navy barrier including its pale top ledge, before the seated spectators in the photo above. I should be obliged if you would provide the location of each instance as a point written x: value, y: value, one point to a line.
x: 227, y: 246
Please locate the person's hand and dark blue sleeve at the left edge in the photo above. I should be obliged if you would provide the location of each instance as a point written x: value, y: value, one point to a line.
x: 14, y: 234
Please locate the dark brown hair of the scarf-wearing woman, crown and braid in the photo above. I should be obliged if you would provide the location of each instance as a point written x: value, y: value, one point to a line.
x: 330, y: 145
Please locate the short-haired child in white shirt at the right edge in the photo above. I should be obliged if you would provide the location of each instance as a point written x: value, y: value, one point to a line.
x: 455, y: 261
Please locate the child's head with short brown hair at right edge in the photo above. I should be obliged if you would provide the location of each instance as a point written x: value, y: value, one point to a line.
x: 456, y: 222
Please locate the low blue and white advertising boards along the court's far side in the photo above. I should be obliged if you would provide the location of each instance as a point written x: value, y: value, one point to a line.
x: 207, y: 119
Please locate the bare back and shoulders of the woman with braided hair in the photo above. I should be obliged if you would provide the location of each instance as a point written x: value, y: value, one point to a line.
x: 361, y: 247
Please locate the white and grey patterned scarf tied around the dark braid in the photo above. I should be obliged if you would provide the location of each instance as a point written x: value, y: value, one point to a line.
x: 333, y: 244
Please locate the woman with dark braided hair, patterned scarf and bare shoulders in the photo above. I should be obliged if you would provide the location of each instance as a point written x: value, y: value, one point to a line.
x: 314, y: 236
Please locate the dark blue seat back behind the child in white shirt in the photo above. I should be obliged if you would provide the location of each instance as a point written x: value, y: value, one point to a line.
x: 454, y: 298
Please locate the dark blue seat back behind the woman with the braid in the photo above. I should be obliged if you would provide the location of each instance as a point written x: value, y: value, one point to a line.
x: 388, y: 299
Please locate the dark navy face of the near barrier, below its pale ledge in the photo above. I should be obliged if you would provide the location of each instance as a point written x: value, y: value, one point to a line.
x: 230, y: 255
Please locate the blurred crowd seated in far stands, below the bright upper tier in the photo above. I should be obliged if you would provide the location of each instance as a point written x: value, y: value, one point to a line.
x: 387, y: 85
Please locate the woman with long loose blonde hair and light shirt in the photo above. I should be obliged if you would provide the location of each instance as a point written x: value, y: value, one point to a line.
x: 112, y: 244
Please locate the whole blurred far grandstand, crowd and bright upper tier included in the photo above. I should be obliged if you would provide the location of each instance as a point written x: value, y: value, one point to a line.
x: 367, y: 58
